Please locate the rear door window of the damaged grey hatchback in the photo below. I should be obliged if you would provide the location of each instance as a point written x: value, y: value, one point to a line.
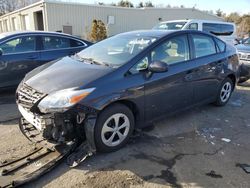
x: 204, y: 45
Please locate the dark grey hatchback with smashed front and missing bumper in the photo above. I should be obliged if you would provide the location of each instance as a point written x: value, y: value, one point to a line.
x: 129, y: 80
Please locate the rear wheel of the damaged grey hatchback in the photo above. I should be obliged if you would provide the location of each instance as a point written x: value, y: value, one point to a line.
x: 225, y: 92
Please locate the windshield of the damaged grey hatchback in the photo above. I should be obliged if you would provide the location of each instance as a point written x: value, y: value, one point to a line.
x: 116, y: 50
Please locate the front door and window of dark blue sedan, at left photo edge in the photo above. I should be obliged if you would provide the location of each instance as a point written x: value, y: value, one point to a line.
x: 19, y: 56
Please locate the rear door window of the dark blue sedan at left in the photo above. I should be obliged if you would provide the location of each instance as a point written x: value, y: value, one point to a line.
x: 51, y: 42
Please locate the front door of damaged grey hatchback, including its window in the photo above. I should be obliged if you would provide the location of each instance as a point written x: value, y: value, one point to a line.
x: 168, y: 92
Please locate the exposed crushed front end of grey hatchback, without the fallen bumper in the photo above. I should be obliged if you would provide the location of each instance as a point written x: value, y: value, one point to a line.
x: 54, y: 128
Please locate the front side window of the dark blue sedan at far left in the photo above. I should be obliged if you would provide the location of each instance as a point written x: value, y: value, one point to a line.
x: 19, y: 45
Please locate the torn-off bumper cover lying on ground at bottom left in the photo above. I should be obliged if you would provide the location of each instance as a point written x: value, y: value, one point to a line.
x: 27, y: 168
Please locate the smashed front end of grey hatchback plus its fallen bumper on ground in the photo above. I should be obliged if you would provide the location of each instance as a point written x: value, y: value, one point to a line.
x: 55, y: 136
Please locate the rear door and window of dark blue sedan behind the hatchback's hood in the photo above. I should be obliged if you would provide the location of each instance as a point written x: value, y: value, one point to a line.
x: 54, y: 47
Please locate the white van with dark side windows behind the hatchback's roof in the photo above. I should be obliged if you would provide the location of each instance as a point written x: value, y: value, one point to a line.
x: 225, y: 30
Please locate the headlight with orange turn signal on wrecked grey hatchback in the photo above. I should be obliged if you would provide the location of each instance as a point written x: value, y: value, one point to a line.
x: 62, y: 100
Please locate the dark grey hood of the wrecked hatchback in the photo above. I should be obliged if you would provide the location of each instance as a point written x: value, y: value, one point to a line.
x: 64, y: 73
